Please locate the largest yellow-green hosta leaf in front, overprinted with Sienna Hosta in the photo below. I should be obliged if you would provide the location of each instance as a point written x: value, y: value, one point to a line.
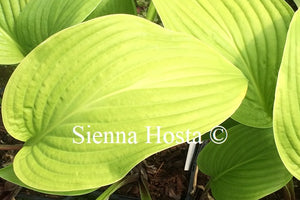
x: 114, y: 73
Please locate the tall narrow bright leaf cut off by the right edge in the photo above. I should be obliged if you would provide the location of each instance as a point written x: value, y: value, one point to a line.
x: 287, y: 101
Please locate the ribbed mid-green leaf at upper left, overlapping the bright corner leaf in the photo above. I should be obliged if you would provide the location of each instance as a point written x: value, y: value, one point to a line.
x: 41, y: 18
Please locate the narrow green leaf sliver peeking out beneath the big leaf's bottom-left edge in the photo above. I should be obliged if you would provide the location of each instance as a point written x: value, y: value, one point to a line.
x: 8, y: 174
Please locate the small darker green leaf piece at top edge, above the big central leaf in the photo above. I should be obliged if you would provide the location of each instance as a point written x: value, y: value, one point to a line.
x: 107, y: 7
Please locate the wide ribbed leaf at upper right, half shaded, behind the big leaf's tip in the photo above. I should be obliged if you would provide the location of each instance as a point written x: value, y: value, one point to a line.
x: 251, y: 34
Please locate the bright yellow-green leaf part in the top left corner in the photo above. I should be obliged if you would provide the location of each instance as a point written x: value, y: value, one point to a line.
x: 10, y: 51
